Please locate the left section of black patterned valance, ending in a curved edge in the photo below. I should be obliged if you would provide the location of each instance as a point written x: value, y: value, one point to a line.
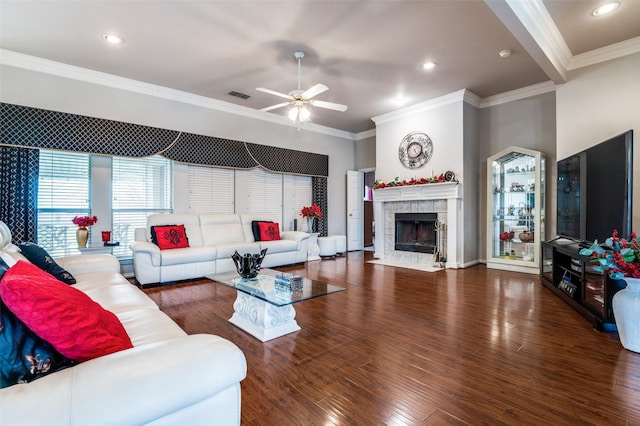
x: 39, y: 128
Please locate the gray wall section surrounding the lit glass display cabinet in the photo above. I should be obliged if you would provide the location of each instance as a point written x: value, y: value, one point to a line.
x: 527, y: 123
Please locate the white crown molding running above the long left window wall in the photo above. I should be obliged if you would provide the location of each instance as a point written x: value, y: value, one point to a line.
x: 46, y: 66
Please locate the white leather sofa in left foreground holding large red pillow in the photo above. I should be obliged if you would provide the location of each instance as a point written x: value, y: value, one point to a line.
x: 167, y: 378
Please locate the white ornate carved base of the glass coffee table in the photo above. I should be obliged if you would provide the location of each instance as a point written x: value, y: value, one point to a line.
x: 261, y: 319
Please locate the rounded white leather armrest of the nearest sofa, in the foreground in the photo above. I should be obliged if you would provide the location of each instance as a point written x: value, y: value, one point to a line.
x: 136, y: 386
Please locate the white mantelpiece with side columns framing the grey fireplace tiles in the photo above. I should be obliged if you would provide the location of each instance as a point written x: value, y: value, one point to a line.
x: 447, y: 201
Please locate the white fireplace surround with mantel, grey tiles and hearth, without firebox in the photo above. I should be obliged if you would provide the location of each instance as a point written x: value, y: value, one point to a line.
x: 441, y: 198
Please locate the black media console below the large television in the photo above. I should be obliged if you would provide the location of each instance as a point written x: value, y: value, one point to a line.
x: 571, y: 277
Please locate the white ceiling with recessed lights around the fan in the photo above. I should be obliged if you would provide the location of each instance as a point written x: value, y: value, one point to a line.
x: 367, y: 52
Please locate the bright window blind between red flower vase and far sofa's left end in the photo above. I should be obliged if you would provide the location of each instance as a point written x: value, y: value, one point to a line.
x: 140, y: 187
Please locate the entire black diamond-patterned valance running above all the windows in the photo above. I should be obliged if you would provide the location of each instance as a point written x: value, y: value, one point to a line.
x: 23, y: 126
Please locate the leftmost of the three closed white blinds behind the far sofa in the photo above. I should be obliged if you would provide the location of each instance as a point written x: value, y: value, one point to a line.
x: 211, y: 190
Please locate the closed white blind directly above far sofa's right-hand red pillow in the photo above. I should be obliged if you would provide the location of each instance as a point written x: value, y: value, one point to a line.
x: 265, y: 194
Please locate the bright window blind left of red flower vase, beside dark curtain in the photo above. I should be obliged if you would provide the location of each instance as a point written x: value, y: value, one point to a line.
x: 64, y: 184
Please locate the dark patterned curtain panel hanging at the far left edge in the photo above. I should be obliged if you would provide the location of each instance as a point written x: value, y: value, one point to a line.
x: 19, y: 195
